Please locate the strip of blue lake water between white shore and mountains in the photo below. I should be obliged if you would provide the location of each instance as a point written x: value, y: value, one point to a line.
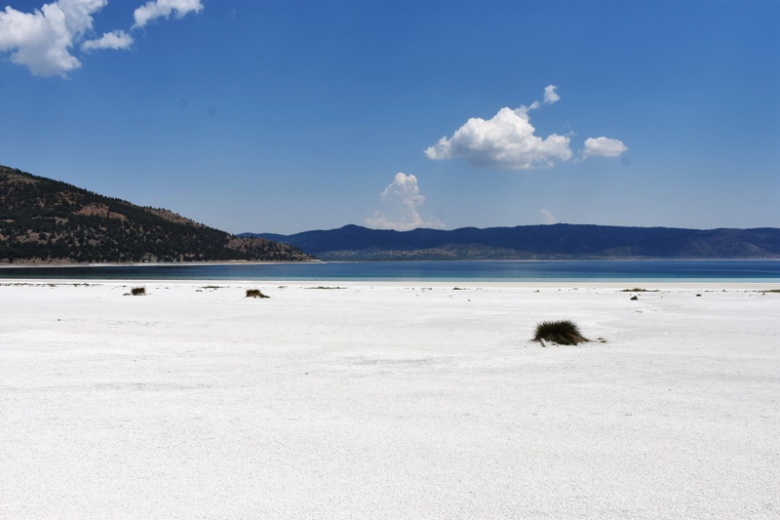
x: 543, y: 271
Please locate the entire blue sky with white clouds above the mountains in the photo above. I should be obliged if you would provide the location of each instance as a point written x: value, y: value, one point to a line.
x: 284, y: 116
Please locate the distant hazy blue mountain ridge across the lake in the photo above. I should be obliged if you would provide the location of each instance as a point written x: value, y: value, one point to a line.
x: 557, y: 241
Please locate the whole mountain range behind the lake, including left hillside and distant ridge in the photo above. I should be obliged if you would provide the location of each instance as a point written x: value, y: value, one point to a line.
x: 48, y: 221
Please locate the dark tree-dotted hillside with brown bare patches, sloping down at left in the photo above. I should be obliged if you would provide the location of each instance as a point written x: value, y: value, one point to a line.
x: 49, y: 222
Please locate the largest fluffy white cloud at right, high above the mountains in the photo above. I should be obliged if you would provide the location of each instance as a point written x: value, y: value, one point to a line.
x: 506, y: 141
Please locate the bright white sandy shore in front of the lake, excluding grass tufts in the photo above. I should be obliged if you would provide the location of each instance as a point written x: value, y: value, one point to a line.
x: 387, y: 400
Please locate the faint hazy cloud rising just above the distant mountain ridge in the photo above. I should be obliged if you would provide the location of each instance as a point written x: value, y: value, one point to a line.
x: 401, y: 201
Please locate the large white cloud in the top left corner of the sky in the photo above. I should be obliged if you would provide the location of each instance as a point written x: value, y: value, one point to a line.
x: 42, y: 40
